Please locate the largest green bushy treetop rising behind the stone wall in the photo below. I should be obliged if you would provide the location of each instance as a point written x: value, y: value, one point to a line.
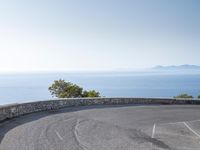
x: 62, y: 89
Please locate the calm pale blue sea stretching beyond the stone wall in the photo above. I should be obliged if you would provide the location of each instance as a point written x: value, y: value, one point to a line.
x: 18, y: 88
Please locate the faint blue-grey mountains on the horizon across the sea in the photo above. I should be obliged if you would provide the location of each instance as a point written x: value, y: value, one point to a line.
x: 181, y: 67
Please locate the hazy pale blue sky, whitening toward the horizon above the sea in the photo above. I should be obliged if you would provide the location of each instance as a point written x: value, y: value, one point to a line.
x: 98, y: 34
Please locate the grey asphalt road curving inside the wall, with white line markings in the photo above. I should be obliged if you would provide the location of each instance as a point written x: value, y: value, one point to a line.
x: 105, y: 128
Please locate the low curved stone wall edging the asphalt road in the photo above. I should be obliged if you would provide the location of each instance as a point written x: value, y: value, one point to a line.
x: 10, y: 111
